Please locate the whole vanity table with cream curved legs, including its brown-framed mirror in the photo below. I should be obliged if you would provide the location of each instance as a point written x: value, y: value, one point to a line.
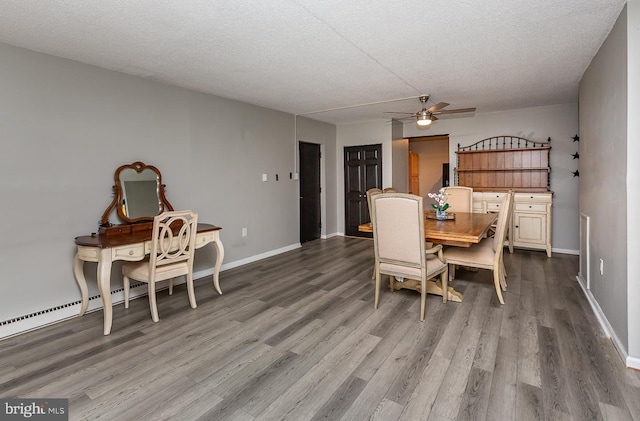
x: 138, y: 197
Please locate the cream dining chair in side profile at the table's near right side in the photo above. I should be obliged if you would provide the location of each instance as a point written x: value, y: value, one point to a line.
x: 487, y: 256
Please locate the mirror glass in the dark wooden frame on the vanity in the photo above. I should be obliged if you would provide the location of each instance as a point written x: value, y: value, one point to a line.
x: 140, y: 193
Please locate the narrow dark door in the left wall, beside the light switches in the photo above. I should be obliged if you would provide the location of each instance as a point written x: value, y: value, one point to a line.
x: 310, y: 222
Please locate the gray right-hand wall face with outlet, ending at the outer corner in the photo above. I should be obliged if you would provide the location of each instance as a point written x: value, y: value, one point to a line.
x: 603, y: 173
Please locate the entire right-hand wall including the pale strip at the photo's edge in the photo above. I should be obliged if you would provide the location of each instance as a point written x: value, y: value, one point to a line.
x: 609, y: 182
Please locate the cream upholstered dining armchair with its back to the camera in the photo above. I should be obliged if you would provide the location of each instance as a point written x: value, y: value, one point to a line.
x: 398, y: 234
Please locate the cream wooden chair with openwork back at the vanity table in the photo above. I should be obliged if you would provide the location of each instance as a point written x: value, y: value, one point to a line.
x: 171, y: 255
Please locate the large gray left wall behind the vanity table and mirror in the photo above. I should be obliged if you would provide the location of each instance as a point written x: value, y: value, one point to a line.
x: 66, y: 127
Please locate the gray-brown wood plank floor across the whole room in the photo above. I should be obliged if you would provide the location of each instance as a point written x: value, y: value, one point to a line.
x: 296, y: 337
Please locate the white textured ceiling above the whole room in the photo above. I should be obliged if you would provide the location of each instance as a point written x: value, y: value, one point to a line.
x: 306, y: 56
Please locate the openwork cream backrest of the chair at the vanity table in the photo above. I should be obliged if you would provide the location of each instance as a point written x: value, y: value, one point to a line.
x: 174, y: 239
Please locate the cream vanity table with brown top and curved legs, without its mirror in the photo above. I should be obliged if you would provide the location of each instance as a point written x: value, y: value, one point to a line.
x: 133, y: 246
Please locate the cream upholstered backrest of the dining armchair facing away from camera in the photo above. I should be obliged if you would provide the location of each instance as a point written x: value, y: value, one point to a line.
x: 398, y: 227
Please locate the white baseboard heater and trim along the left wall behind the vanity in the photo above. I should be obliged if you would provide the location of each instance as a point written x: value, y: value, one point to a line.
x: 67, y: 311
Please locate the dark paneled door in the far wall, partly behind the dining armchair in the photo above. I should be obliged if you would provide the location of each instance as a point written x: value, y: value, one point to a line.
x: 362, y: 171
